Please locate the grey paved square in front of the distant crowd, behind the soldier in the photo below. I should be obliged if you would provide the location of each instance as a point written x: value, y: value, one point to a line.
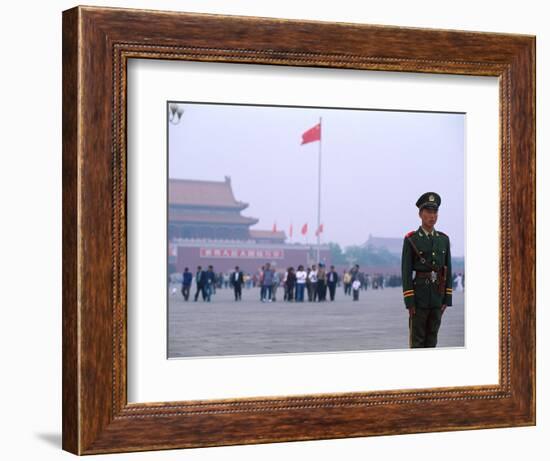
x: 224, y: 327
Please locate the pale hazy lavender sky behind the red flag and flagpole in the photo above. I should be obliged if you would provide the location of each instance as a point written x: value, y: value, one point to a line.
x: 375, y: 165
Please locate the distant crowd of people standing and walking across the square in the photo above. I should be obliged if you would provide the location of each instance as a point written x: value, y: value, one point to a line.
x: 312, y: 283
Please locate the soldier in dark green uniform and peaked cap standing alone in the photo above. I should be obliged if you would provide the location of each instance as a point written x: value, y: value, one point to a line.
x: 427, y: 275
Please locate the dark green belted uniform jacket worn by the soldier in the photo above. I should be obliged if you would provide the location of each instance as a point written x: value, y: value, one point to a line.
x: 421, y: 292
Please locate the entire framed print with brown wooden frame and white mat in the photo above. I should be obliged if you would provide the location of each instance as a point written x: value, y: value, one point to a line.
x: 281, y: 230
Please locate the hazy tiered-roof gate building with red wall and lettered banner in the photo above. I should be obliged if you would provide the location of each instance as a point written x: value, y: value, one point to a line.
x: 205, y: 226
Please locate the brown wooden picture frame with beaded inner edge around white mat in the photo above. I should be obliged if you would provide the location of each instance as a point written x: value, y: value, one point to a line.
x: 97, y: 43
